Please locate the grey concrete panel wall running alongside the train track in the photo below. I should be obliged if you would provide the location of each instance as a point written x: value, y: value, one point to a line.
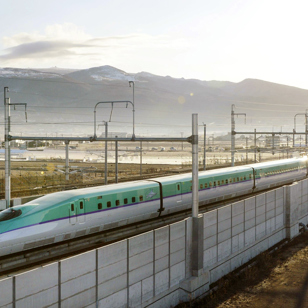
x: 157, y: 268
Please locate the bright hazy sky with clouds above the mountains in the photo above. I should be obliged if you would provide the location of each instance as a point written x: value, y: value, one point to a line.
x: 204, y: 39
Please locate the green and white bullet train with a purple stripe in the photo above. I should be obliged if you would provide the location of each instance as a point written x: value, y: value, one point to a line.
x: 64, y: 215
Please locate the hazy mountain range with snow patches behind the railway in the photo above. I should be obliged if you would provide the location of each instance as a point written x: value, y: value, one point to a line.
x: 162, y: 103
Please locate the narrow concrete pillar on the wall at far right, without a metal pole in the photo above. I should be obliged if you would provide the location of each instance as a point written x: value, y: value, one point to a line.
x: 291, y: 194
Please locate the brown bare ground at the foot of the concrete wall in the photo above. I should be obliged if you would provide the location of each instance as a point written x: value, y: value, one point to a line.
x: 279, y: 279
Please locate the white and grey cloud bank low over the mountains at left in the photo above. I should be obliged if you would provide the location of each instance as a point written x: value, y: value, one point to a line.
x: 67, y: 45
